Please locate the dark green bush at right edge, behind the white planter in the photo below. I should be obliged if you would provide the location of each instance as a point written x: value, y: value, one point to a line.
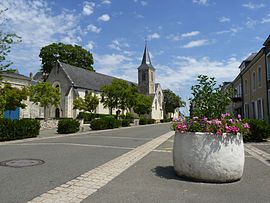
x: 259, y: 131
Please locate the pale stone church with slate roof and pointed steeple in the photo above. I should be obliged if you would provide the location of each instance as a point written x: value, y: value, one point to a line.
x: 76, y: 82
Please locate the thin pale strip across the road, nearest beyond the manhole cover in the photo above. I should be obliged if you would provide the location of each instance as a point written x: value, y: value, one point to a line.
x: 75, y: 144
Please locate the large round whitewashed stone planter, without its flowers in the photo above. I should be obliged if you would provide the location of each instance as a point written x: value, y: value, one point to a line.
x: 208, y: 157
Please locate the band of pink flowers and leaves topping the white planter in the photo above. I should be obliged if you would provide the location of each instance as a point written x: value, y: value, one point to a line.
x: 225, y: 124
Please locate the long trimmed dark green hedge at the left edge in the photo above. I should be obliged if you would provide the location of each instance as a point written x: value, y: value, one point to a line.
x: 18, y: 129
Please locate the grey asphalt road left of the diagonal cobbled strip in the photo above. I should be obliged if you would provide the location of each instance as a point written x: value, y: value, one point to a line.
x: 65, y: 159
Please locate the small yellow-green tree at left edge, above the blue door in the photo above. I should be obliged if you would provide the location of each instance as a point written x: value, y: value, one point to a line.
x: 11, y: 98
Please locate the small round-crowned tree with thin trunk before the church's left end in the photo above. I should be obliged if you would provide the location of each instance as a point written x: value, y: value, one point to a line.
x: 44, y: 95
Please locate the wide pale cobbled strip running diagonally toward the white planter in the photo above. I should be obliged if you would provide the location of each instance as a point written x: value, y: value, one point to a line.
x: 88, y: 183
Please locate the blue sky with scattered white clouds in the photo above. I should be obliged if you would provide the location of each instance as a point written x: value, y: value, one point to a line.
x: 185, y: 38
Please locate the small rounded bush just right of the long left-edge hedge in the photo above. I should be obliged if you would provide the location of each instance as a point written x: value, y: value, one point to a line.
x: 66, y: 126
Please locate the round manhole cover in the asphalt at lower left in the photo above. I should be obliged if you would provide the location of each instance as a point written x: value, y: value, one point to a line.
x: 19, y: 163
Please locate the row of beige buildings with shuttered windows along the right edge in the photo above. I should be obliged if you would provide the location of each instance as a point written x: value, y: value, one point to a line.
x: 252, y: 86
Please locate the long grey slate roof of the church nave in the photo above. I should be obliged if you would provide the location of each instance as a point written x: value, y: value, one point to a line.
x: 83, y: 78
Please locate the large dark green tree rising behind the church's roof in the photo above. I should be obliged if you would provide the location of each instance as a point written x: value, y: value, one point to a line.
x: 71, y: 54
